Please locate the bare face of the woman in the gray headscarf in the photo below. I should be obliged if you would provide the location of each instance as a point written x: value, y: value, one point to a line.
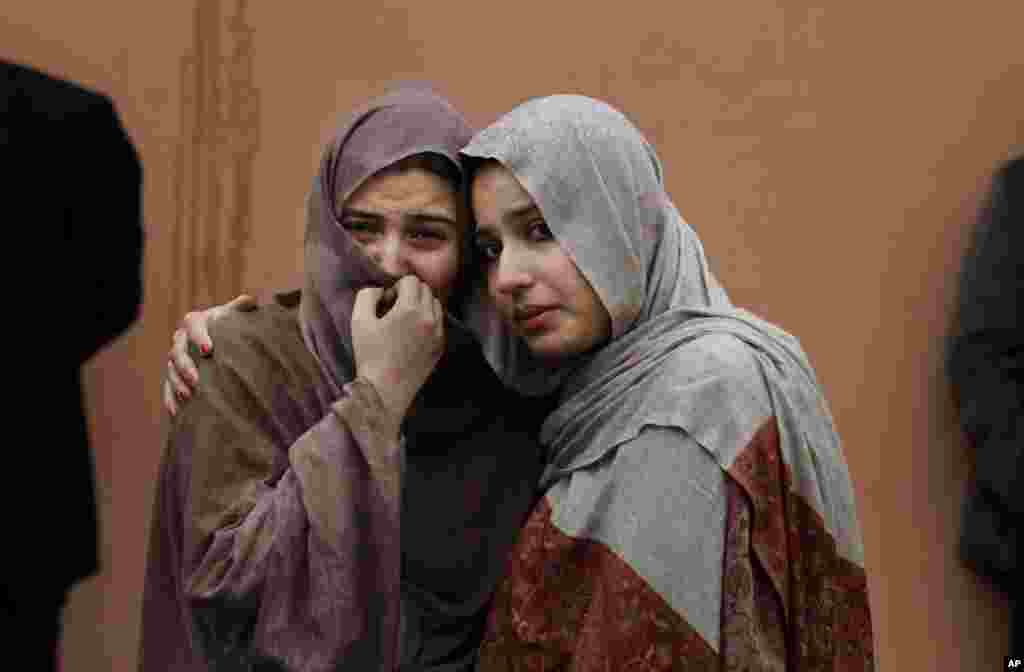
x: 537, y: 288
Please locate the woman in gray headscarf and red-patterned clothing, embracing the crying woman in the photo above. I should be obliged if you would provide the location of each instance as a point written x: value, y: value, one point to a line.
x: 698, y: 511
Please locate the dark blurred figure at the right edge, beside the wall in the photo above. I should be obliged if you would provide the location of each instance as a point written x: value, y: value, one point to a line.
x: 987, y: 368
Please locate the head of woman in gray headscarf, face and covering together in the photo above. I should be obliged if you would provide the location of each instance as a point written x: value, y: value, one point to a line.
x: 569, y: 203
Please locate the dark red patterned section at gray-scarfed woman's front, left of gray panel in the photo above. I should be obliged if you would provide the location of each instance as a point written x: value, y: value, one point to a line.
x: 574, y: 605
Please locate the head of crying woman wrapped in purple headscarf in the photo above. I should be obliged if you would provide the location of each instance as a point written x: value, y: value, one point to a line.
x: 385, y: 204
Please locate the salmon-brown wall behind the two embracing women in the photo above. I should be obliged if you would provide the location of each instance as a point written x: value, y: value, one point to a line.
x: 832, y: 156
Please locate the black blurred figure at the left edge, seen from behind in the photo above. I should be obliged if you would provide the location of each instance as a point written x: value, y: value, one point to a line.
x: 74, y: 180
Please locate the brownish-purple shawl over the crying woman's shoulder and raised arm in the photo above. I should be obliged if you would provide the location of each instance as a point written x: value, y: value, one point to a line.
x: 284, y: 544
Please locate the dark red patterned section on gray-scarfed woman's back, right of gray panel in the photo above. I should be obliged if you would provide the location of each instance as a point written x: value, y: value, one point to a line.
x: 781, y: 558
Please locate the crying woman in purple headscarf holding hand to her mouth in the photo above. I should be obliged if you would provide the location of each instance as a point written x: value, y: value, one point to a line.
x: 331, y: 499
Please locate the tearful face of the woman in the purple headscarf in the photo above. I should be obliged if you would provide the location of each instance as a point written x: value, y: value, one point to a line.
x: 406, y: 220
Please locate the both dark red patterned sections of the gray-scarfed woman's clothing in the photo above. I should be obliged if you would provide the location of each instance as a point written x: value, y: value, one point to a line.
x: 789, y: 602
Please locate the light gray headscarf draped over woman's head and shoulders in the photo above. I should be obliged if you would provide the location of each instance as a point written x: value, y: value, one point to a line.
x: 600, y: 186
